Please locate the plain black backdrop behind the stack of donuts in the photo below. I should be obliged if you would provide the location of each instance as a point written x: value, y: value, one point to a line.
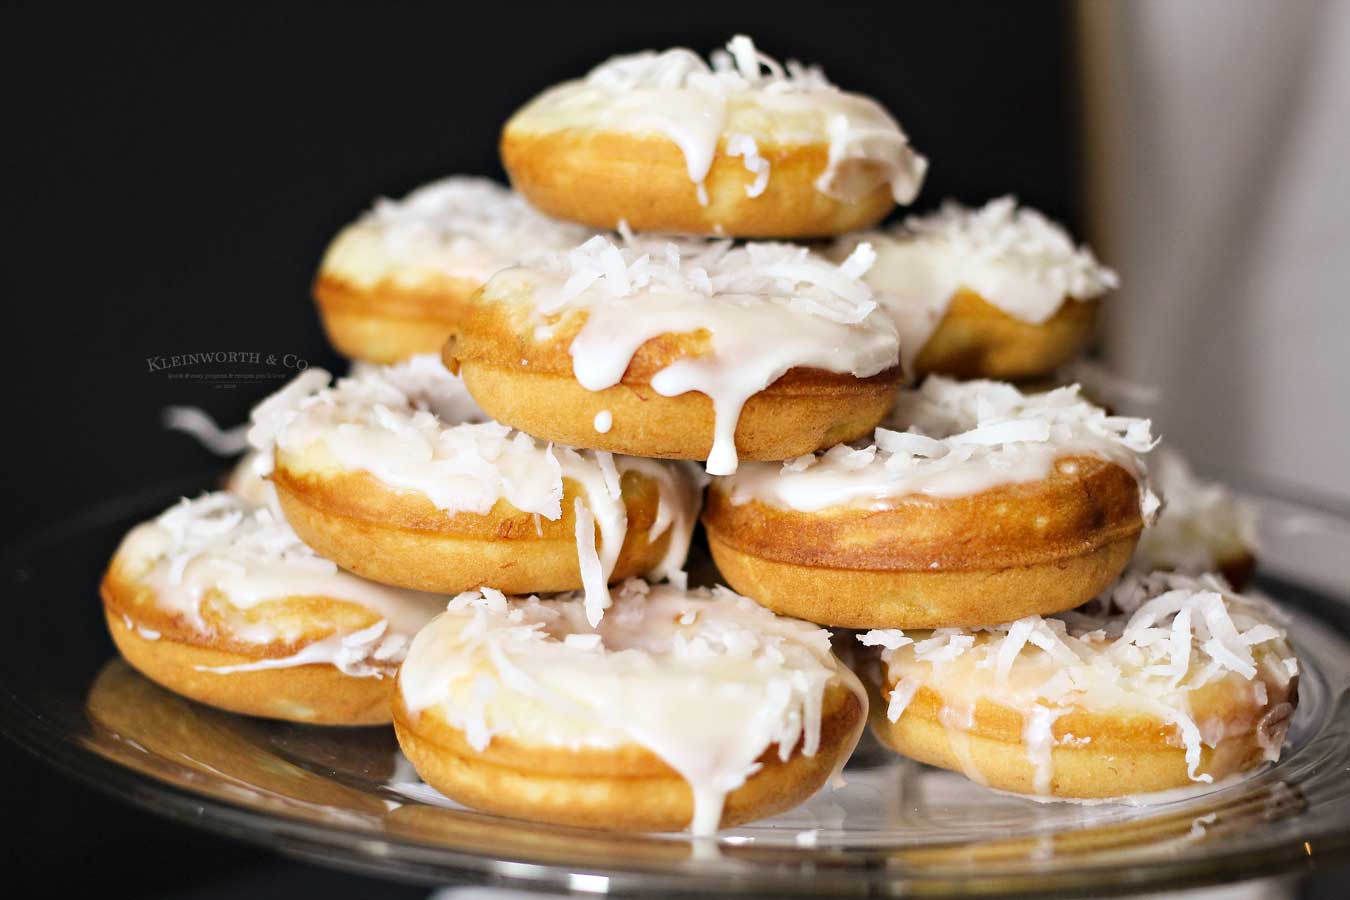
x: 172, y: 179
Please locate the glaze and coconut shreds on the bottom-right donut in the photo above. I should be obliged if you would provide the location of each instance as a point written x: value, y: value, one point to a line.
x: 1148, y: 647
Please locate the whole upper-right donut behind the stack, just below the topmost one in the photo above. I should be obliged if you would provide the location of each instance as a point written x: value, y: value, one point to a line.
x: 997, y: 292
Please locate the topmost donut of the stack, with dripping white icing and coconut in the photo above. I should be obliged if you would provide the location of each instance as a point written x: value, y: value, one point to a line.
x: 743, y: 148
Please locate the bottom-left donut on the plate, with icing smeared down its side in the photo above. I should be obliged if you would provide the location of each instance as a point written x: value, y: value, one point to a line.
x: 221, y: 602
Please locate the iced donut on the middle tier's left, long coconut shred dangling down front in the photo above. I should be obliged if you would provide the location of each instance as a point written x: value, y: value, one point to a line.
x: 372, y: 477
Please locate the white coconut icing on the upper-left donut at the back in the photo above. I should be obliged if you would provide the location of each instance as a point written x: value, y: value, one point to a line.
x: 458, y: 227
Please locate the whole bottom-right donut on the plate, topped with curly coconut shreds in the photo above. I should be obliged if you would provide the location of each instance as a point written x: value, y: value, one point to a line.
x: 1166, y: 682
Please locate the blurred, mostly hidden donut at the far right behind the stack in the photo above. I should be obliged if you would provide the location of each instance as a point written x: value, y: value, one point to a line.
x: 1201, y: 528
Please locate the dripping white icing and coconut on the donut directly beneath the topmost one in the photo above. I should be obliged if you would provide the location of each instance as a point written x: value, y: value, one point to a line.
x: 767, y: 307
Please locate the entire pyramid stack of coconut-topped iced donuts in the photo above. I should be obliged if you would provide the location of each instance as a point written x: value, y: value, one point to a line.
x: 483, y: 534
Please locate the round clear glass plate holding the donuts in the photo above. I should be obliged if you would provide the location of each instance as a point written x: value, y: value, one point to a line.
x: 348, y: 798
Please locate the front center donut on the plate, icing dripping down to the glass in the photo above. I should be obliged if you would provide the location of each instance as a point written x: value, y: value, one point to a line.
x: 684, y: 709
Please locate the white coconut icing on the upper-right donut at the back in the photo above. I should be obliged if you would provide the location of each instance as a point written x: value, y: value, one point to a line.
x: 1015, y: 258
